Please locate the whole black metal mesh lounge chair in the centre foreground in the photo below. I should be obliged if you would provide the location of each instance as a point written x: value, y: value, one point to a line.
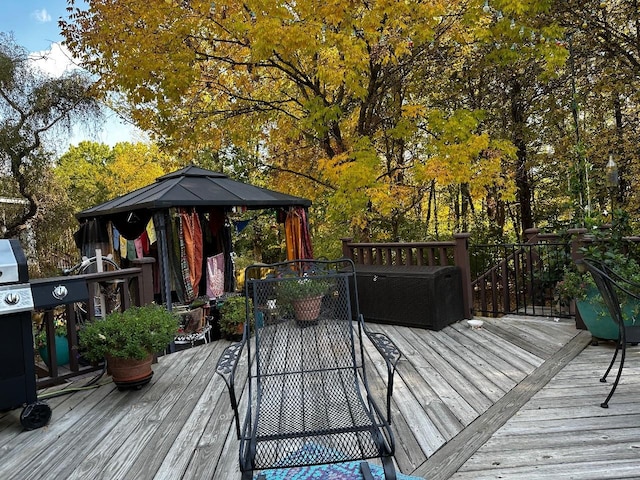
x: 307, y: 399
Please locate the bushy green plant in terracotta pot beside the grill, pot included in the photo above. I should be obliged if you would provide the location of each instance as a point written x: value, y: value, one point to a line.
x: 128, y: 340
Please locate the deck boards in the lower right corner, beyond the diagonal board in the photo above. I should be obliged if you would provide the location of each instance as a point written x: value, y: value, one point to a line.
x: 563, y: 431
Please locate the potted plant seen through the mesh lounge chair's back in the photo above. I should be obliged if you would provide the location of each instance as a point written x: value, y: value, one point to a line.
x: 303, y: 295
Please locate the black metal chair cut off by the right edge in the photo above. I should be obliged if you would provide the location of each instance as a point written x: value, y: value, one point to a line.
x: 610, y: 285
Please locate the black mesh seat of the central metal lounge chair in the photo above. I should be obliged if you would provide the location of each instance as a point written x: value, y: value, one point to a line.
x: 319, y: 407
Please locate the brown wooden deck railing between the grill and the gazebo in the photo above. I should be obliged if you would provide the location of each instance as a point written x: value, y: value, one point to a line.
x: 135, y: 287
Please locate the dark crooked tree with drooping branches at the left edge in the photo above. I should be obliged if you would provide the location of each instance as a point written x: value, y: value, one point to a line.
x: 33, y: 108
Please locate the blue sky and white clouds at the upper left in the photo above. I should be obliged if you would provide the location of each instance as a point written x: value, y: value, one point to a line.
x: 34, y: 25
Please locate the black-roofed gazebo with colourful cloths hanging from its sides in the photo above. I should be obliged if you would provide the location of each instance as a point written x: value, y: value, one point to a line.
x: 186, y: 198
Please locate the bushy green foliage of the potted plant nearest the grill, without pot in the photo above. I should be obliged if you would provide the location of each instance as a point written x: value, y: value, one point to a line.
x: 134, y: 333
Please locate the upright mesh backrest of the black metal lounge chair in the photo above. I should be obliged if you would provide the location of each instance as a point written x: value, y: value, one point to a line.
x: 303, y: 317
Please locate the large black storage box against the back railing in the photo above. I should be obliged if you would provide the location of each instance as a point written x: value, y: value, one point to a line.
x: 413, y: 296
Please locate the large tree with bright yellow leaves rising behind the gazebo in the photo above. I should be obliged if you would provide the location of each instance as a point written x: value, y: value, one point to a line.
x: 329, y: 94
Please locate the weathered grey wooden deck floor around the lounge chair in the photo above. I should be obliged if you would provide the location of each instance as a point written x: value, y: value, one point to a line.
x: 518, y: 398
